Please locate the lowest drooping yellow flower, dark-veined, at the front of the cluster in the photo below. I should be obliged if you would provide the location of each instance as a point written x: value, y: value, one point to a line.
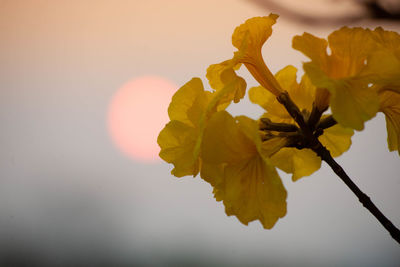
x: 242, y: 177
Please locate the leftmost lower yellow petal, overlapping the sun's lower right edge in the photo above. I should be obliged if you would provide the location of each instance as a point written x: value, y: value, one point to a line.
x: 177, y: 141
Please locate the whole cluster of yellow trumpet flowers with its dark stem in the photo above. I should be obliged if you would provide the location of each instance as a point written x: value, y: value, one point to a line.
x: 238, y: 156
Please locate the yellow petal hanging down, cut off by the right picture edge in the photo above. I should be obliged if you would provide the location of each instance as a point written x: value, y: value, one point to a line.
x: 390, y: 106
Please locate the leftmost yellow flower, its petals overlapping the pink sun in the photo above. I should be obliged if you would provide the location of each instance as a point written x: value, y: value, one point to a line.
x: 189, y: 110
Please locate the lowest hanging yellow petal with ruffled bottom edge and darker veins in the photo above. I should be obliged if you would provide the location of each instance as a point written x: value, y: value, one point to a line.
x: 252, y: 190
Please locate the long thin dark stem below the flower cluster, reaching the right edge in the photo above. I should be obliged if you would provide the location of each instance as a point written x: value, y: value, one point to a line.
x: 362, y: 197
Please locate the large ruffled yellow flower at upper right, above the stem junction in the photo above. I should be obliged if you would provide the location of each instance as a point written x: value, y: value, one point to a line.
x: 352, y: 100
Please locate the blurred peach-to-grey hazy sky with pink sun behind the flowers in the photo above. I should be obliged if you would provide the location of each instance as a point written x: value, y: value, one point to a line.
x: 73, y: 192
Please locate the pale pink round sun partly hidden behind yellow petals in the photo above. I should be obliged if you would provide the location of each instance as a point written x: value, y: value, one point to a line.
x: 137, y: 112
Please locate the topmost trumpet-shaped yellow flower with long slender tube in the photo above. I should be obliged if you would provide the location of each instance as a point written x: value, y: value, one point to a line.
x: 248, y: 38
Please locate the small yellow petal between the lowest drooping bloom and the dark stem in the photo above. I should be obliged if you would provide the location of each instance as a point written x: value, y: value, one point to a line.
x: 300, y: 163
